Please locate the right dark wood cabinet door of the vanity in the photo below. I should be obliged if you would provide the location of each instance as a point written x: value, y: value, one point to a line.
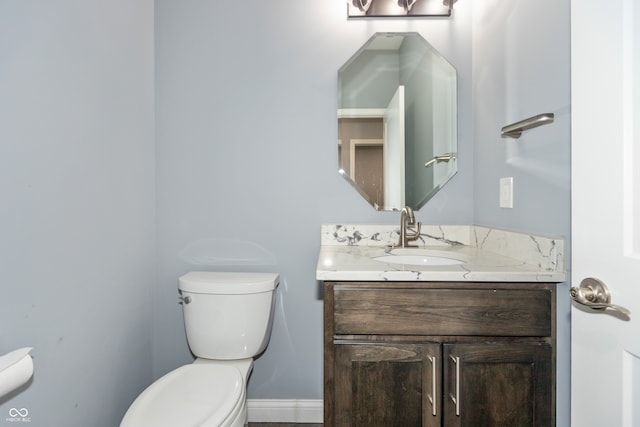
x: 498, y: 385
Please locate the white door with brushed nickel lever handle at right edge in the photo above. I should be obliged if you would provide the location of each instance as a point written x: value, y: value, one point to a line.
x: 605, y: 361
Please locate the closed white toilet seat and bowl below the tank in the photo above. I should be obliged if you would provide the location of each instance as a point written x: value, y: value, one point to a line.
x: 203, y: 395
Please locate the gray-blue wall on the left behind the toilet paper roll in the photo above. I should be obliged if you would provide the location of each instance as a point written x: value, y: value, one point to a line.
x: 77, y: 204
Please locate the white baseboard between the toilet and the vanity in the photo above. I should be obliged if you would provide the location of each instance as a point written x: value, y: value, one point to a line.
x: 285, y: 411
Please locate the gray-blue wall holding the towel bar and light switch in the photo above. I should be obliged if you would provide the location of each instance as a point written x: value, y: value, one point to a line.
x: 521, y: 68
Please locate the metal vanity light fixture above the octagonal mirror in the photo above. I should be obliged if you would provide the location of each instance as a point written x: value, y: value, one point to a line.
x: 398, y: 8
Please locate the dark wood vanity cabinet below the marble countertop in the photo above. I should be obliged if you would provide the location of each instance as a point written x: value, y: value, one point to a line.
x: 439, y: 354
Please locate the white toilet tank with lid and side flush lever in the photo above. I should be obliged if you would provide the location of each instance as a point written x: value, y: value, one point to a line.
x: 228, y: 315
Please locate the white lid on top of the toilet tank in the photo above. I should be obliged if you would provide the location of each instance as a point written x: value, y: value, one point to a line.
x: 229, y: 283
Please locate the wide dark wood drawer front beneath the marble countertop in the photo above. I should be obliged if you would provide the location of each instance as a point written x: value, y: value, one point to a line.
x: 479, y: 312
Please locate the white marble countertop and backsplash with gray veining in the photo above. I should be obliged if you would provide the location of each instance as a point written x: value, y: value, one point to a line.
x: 488, y: 254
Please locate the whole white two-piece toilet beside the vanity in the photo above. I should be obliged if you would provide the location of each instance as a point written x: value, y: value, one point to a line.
x: 228, y: 318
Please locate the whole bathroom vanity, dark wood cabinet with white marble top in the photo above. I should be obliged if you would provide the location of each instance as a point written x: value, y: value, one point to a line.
x: 464, y: 335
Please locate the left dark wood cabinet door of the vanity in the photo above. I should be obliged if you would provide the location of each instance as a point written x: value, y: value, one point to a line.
x: 387, y: 384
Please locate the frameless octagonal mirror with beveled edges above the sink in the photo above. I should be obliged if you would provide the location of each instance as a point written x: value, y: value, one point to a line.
x: 397, y: 121
